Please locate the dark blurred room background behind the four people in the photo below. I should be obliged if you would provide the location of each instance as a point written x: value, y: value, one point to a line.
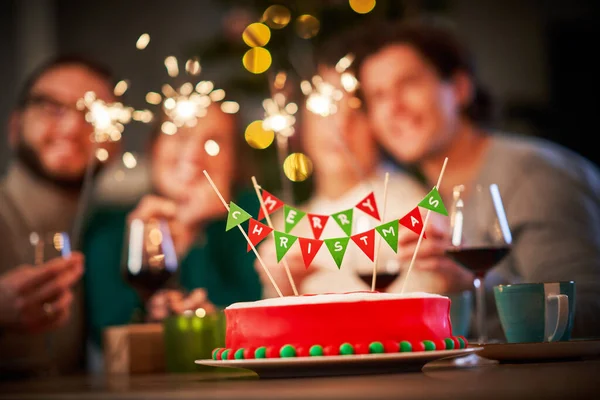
x: 537, y: 57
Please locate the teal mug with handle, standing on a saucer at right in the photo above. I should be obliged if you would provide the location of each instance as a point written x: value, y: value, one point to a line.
x: 536, y: 312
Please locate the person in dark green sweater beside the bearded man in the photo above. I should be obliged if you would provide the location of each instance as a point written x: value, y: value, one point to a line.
x: 214, y: 268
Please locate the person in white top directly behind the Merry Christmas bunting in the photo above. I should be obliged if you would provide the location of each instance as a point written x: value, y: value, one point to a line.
x: 348, y: 165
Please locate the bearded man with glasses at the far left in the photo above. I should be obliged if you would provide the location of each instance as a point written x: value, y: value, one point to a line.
x: 40, y: 193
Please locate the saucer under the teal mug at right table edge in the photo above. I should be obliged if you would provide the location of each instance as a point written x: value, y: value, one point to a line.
x: 524, y: 352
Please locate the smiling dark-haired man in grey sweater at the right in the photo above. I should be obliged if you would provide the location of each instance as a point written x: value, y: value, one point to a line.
x: 424, y: 103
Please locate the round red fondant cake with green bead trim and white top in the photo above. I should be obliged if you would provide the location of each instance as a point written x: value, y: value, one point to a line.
x: 338, y: 324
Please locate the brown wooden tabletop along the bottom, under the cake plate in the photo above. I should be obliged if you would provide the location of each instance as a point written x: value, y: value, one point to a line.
x: 439, y: 380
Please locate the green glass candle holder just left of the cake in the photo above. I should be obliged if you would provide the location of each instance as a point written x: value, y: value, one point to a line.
x: 192, y: 336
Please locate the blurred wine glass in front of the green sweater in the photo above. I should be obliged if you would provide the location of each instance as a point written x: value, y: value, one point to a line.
x: 150, y: 258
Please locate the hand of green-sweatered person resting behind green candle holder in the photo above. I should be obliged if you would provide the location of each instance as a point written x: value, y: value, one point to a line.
x: 167, y: 302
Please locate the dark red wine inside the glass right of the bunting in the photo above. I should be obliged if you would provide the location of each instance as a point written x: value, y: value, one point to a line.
x: 478, y: 259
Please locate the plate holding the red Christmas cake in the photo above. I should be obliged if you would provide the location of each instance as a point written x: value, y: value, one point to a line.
x: 339, y: 365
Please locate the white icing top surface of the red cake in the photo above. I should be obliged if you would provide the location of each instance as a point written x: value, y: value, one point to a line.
x: 331, y: 298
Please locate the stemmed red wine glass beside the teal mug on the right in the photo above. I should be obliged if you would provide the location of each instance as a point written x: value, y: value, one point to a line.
x: 480, y: 238
